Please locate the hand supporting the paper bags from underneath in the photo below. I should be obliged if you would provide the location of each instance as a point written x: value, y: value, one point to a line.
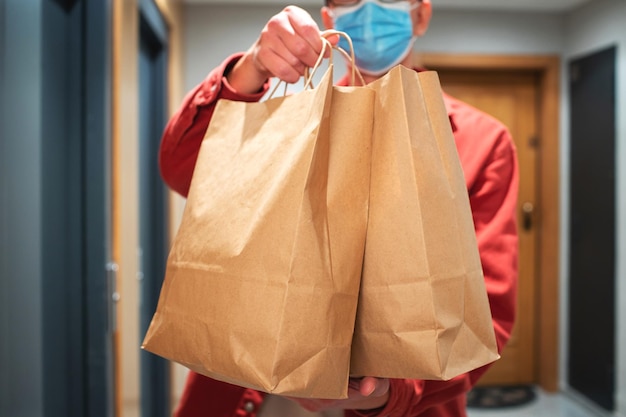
x: 363, y: 394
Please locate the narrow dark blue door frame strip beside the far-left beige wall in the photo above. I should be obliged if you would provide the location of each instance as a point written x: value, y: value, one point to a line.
x: 99, y: 294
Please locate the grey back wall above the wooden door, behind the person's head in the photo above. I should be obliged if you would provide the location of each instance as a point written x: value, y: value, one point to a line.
x: 211, y: 36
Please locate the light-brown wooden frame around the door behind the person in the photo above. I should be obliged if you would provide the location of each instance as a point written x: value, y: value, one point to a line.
x: 547, y: 69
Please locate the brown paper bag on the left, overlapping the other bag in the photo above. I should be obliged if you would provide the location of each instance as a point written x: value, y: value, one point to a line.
x: 262, y: 280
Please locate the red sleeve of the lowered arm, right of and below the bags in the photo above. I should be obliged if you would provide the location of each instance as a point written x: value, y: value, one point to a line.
x: 491, y: 171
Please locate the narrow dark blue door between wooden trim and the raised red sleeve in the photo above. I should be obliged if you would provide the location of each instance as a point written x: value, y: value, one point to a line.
x: 152, y: 199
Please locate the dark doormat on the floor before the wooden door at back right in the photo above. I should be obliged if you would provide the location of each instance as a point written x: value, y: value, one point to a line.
x: 501, y: 396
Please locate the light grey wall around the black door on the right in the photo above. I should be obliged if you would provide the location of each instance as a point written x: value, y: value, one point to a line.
x: 596, y: 26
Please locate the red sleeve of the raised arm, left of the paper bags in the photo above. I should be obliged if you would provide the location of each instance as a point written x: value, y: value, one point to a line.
x: 184, y: 132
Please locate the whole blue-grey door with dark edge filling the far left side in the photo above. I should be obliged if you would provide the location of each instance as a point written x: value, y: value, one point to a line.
x: 56, y: 354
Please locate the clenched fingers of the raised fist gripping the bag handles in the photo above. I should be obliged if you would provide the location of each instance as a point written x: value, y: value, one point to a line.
x: 289, y: 43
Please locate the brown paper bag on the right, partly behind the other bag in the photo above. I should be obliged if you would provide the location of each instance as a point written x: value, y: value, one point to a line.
x: 423, y: 310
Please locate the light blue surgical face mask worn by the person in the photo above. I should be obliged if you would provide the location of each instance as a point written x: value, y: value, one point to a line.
x: 382, y: 34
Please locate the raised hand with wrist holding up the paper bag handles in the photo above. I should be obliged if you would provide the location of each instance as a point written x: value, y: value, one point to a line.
x: 289, y: 43
